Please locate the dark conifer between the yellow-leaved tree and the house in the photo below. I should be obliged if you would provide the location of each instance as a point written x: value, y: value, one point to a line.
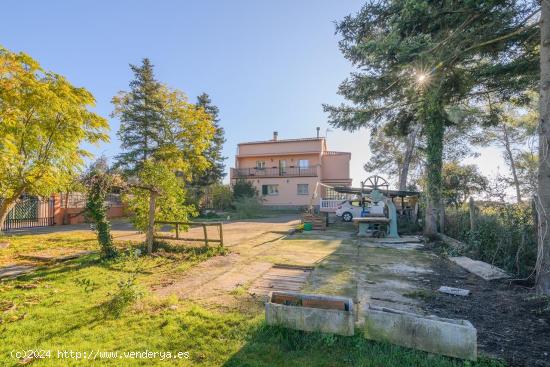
x: 213, y: 154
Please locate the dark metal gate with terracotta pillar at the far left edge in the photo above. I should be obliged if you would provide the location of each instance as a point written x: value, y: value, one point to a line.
x: 30, y: 212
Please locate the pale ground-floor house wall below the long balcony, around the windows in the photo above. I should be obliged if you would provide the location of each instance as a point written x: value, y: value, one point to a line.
x: 288, y: 190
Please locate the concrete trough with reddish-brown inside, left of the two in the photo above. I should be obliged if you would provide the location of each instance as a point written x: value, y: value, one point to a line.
x: 308, y: 312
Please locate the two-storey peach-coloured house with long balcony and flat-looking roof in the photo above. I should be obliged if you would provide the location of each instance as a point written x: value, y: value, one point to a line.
x: 291, y: 172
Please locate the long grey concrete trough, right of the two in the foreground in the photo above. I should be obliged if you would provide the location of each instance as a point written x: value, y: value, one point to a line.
x: 454, y: 338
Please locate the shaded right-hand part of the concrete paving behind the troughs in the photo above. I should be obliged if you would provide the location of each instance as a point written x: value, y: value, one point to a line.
x: 368, y: 270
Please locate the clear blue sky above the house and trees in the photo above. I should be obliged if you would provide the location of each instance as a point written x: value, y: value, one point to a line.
x: 267, y: 65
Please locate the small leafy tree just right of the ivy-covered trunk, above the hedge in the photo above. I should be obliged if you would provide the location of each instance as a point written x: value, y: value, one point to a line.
x: 461, y: 182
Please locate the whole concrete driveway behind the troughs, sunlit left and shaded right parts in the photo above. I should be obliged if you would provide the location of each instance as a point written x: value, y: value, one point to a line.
x: 379, y: 272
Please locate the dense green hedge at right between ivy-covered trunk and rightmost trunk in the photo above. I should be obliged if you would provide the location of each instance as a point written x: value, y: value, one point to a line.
x: 505, y: 235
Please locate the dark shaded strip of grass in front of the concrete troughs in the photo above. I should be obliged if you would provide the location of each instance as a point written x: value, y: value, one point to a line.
x: 276, y: 346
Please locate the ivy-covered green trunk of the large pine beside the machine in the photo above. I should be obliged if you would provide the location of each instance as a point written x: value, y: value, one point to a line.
x: 433, y: 117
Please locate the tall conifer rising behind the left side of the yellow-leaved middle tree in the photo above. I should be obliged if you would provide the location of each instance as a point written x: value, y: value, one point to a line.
x: 141, y: 118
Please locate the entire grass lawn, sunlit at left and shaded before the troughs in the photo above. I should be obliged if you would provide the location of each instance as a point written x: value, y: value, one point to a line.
x: 91, y: 306
